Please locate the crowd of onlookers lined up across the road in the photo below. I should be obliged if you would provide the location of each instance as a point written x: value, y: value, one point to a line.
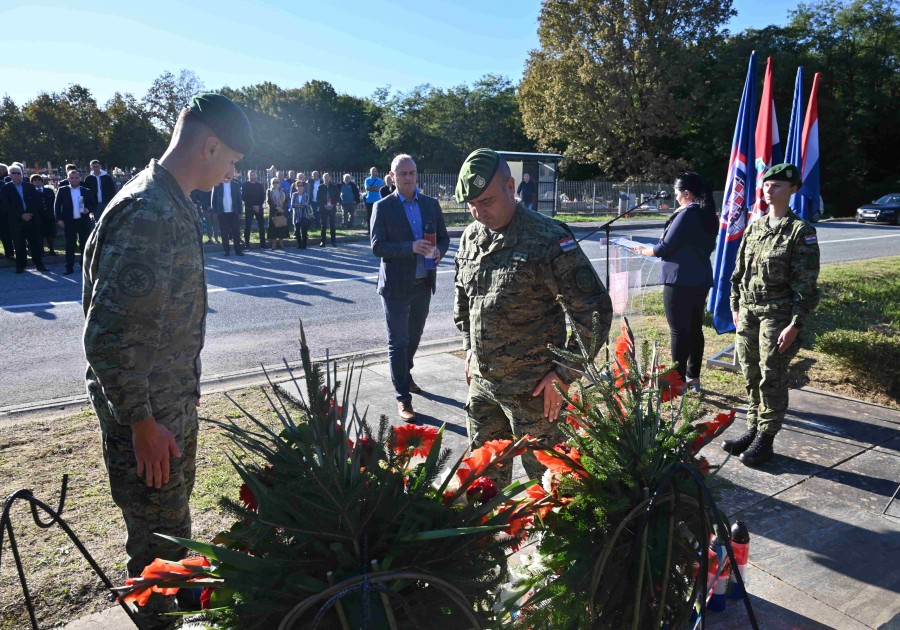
x: 33, y: 213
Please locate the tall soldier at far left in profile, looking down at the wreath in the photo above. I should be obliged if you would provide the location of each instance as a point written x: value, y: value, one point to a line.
x: 144, y: 299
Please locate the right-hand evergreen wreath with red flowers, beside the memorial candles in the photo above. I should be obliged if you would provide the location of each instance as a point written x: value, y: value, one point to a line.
x: 613, y: 557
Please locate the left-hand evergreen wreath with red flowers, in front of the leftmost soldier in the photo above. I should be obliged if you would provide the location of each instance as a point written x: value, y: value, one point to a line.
x: 328, y: 502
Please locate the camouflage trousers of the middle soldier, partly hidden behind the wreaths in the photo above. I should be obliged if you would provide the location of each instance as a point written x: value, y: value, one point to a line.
x: 492, y: 417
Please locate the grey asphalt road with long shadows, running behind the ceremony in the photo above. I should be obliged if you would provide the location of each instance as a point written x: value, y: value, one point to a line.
x: 257, y: 301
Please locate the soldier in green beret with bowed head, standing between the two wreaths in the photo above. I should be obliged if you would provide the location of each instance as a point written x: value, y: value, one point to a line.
x: 511, y: 265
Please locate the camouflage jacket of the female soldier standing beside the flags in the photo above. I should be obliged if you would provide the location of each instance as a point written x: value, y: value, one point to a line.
x: 777, y: 268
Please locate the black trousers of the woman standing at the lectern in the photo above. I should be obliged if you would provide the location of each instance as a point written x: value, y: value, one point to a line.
x: 684, y: 311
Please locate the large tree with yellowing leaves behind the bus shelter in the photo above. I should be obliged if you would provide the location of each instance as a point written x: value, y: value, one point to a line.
x: 615, y: 81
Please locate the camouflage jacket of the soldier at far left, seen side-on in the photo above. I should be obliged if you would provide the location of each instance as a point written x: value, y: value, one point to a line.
x: 144, y: 299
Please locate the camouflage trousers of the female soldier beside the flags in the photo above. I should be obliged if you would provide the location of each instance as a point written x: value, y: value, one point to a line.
x: 765, y: 369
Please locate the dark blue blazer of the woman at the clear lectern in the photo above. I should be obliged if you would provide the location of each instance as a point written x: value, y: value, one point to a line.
x: 686, y: 245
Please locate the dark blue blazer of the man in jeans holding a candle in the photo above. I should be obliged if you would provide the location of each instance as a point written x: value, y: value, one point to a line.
x: 392, y: 240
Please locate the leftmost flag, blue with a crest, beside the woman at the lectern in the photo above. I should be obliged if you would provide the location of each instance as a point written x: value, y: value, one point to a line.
x: 739, y: 194
